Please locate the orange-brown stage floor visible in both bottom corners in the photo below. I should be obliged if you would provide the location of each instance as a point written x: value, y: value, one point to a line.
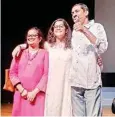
x: 6, y: 110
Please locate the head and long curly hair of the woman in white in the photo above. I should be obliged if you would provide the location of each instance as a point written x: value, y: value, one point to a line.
x: 59, y: 31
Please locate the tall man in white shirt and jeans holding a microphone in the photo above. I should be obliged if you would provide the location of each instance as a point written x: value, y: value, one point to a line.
x: 88, y: 42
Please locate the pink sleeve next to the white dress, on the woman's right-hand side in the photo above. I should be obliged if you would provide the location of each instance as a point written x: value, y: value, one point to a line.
x: 43, y: 82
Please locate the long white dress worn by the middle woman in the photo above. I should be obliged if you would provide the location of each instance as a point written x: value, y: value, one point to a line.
x: 58, y: 95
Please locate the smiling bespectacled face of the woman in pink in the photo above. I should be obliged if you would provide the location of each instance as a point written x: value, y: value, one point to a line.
x: 33, y: 39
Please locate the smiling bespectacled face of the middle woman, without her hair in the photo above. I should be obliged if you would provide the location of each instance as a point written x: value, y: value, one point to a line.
x: 59, y: 30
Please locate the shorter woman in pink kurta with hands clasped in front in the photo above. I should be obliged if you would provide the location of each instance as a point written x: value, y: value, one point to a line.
x: 29, y: 75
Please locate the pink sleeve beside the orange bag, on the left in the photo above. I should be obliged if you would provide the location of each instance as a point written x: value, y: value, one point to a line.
x: 14, y: 72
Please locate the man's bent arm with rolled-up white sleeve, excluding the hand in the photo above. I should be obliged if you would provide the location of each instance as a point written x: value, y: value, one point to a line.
x: 99, y: 39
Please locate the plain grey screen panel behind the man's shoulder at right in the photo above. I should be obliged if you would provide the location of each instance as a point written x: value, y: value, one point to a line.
x: 105, y: 14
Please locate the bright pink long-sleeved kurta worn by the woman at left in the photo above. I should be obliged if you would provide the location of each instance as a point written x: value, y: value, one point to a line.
x: 31, y: 76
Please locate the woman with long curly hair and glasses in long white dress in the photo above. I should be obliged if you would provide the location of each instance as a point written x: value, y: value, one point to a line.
x: 58, y: 95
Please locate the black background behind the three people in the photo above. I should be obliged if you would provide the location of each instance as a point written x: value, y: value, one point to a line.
x: 19, y: 15
